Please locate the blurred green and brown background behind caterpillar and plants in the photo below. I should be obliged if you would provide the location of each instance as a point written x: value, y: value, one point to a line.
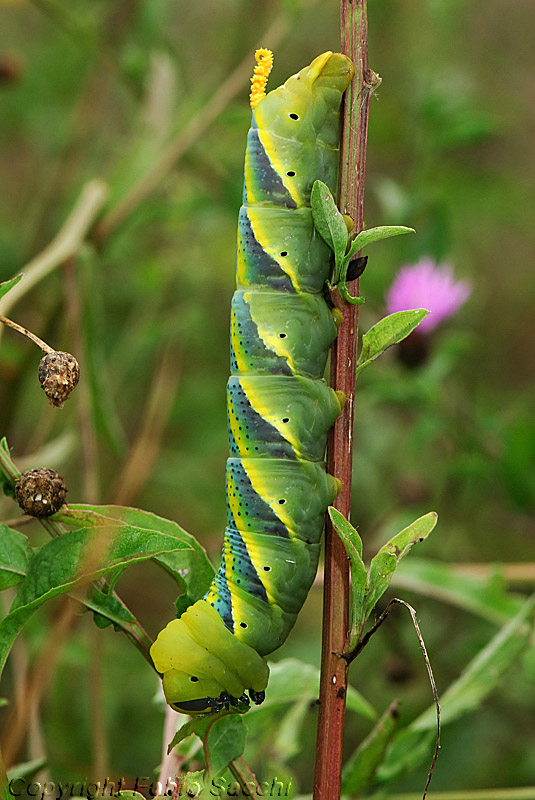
x: 99, y: 90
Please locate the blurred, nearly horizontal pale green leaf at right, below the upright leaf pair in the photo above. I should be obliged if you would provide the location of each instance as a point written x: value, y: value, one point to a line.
x: 483, y: 595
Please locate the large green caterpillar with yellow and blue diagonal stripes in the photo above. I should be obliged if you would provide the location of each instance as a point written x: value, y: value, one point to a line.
x: 279, y: 406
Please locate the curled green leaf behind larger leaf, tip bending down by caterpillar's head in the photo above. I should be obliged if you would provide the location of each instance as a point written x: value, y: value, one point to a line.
x: 187, y: 563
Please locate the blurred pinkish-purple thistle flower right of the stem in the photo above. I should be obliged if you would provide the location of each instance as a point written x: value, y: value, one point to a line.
x: 427, y: 285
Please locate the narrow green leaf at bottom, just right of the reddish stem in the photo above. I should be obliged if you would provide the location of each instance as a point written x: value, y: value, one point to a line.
x: 360, y: 768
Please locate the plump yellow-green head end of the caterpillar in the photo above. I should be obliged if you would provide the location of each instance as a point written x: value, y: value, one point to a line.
x: 204, y: 667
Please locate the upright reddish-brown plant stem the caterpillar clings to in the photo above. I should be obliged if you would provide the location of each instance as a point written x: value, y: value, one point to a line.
x: 333, y: 686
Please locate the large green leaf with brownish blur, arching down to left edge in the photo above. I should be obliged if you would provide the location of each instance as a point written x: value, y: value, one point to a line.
x: 62, y: 563
